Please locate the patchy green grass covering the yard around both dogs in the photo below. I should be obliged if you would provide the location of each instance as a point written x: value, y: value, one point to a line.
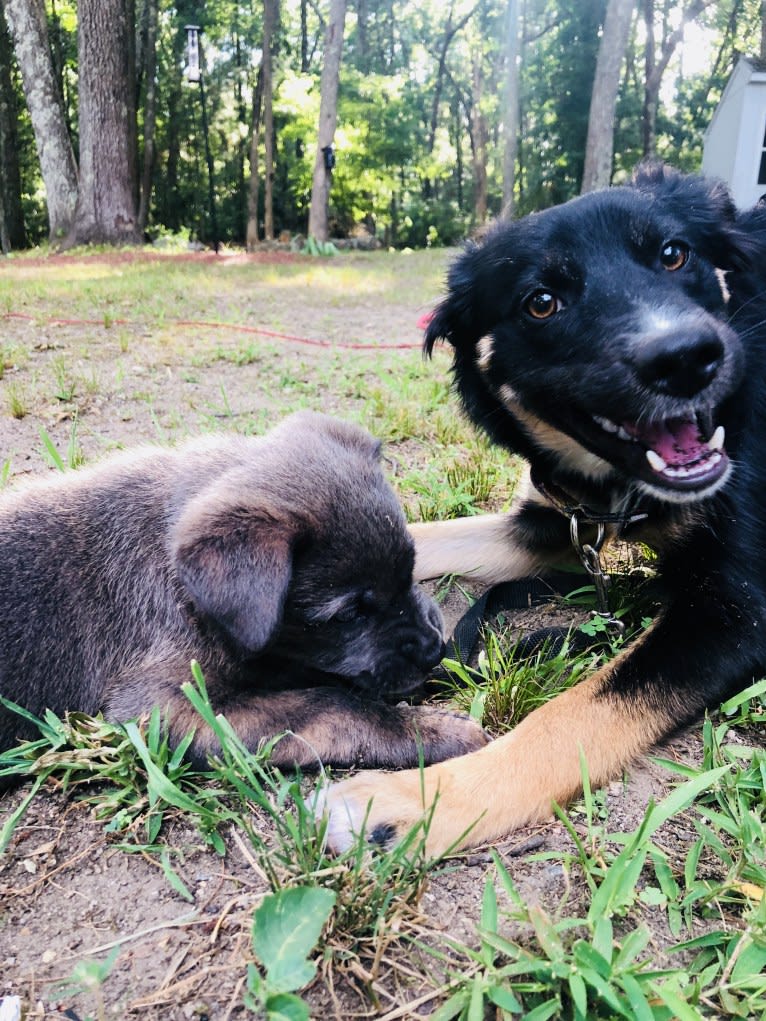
x: 594, y: 954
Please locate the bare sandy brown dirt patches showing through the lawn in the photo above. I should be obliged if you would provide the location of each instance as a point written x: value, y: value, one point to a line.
x: 68, y: 892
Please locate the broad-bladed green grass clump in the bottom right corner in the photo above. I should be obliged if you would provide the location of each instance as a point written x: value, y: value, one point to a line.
x: 600, y: 965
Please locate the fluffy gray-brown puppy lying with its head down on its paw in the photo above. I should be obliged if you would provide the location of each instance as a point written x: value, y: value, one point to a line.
x: 282, y: 564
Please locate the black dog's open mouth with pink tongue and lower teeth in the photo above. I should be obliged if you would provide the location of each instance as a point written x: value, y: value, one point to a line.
x: 685, y: 455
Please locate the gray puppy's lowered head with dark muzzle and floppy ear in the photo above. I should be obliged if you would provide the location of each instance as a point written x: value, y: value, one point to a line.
x: 304, y: 556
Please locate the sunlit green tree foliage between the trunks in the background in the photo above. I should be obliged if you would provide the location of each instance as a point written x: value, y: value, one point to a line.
x: 404, y: 141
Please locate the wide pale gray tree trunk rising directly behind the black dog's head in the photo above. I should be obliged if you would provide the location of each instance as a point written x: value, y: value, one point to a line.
x: 601, y: 138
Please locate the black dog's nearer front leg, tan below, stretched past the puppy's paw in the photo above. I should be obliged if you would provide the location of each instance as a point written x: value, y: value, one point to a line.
x: 691, y: 659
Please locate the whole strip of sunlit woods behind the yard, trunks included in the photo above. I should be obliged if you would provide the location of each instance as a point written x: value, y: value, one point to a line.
x: 434, y: 116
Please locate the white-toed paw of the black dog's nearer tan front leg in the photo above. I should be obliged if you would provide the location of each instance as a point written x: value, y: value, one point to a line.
x: 385, y: 806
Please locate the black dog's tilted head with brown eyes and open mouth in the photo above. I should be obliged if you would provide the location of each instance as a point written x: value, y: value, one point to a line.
x: 593, y: 337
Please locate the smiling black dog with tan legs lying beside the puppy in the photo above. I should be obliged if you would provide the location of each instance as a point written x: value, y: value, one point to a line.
x: 617, y: 343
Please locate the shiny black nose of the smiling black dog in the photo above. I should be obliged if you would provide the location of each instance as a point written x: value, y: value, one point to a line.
x: 682, y: 362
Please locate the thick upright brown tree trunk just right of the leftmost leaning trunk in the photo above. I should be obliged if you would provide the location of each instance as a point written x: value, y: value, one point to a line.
x: 106, y: 211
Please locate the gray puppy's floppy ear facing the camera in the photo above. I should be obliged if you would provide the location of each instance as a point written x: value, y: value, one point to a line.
x: 236, y: 564
